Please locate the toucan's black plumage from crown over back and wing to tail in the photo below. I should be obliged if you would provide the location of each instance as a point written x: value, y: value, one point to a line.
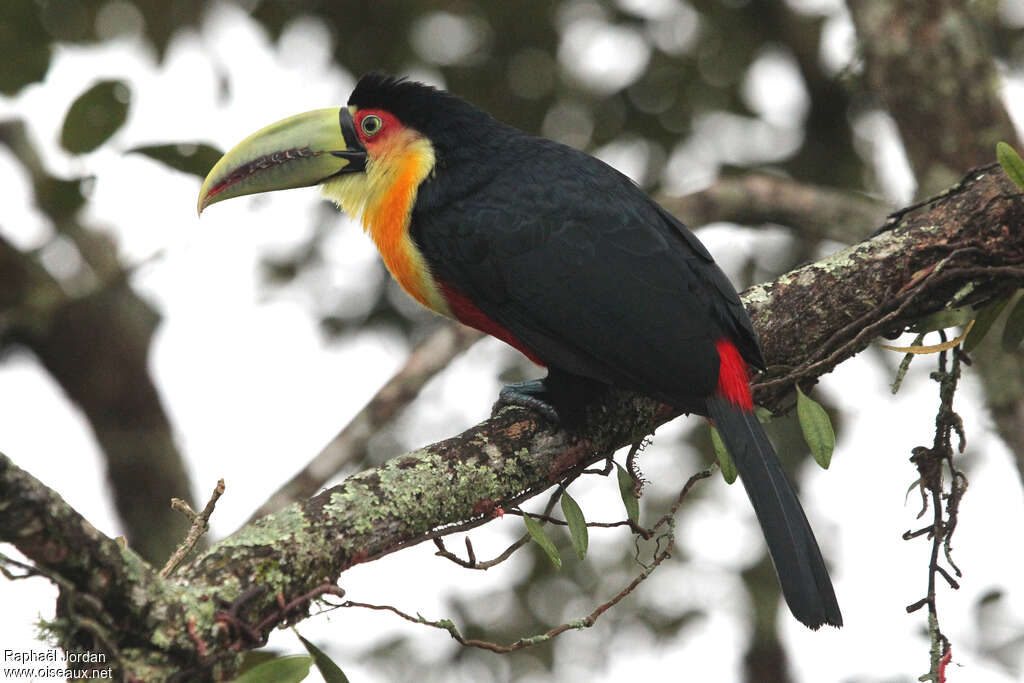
x: 602, y: 285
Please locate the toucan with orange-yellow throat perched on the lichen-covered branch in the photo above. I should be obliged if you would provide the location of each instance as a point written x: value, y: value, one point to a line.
x: 553, y: 252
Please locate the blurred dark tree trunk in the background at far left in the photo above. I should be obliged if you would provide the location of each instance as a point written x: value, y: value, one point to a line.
x: 94, y: 336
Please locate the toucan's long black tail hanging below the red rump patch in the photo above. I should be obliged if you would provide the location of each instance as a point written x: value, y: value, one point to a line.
x: 801, y: 570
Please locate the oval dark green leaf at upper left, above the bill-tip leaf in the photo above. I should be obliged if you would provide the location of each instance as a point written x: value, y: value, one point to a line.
x: 95, y: 116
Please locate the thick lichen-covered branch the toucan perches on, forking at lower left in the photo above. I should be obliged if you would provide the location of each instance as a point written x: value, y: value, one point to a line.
x: 966, y: 246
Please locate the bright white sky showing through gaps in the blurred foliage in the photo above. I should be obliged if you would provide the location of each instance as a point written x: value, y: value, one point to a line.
x: 254, y: 392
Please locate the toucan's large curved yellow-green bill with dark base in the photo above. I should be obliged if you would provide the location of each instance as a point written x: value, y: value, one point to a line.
x: 297, y: 152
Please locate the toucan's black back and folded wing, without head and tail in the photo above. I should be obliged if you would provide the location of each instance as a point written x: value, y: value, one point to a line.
x: 592, y: 276
